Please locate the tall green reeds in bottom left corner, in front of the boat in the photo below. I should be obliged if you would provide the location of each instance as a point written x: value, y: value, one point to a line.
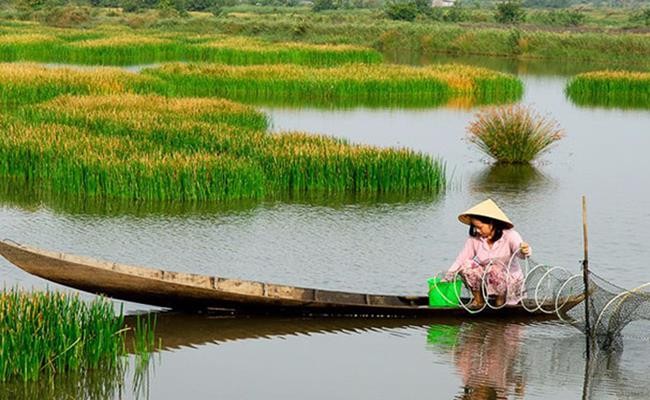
x: 47, y: 334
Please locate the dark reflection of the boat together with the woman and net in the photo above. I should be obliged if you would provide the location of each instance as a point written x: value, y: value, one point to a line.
x: 494, y: 359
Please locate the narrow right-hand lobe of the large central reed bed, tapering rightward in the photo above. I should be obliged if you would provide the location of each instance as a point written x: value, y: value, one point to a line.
x: 299, y: 163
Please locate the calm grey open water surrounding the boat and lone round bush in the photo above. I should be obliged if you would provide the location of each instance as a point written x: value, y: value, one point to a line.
x: 388, y: 246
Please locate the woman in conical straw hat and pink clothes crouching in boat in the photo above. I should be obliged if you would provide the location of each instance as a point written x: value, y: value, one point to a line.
x: 487, y: 258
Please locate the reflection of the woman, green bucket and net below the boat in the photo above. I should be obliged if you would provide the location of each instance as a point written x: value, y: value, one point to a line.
x: 498, y: 361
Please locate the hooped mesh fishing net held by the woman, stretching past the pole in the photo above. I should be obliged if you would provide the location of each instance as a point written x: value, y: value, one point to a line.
x: 556, y: 290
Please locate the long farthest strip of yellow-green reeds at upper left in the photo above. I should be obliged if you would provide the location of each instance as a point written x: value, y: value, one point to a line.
x: 123, y: 48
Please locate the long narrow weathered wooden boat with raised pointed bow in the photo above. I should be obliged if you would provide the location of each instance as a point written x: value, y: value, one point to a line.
x: 192, y: 292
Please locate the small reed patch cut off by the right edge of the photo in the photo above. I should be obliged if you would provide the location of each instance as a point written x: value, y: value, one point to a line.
x: 623, y: 89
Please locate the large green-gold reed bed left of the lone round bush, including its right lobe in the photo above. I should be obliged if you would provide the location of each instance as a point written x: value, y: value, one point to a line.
x: 156, y: 148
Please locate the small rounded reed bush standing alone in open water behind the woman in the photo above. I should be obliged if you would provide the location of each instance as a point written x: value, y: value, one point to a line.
x: 513, y: 134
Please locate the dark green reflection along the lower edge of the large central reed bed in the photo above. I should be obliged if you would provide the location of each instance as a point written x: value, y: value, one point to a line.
x: 30, y: 197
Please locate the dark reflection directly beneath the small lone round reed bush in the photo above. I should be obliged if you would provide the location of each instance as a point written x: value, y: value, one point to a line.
x: 509, y: 178
